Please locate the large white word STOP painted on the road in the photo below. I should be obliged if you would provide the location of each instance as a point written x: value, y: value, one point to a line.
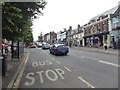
x: 52, y: 75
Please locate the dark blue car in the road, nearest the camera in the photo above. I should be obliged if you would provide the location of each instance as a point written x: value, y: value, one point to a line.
x: 59, y: 49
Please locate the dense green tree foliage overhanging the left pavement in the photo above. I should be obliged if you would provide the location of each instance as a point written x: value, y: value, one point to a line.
x: 17, y: 19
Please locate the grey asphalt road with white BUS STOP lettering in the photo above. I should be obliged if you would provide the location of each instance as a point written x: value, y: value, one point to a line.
x: 79, y: 69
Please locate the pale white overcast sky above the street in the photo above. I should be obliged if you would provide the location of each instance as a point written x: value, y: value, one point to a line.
x: 59, y: 14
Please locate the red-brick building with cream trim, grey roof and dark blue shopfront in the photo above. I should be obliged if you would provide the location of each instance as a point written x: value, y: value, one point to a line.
x: 97, y: 31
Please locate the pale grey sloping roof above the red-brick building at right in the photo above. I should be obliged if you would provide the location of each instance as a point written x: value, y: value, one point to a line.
x: 111, y: 11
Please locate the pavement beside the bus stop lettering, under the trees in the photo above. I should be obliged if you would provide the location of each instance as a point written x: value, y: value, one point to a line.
x: 13, y: 66
